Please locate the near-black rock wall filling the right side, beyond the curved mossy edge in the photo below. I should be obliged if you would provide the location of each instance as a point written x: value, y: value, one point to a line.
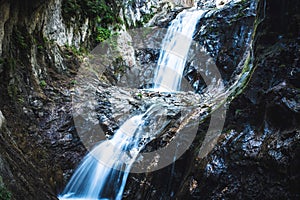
x: 257, y: 156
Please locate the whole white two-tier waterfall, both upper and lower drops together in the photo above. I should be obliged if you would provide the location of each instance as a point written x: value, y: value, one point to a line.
x: 104, y: 171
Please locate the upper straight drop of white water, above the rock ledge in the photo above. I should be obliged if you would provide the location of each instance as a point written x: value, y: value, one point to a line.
x: 175, y: 47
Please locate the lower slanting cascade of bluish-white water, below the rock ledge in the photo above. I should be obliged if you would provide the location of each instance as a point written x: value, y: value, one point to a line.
x: 104, y: 170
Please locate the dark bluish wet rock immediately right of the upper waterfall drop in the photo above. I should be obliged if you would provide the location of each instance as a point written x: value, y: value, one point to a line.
x: 225, y: 33
